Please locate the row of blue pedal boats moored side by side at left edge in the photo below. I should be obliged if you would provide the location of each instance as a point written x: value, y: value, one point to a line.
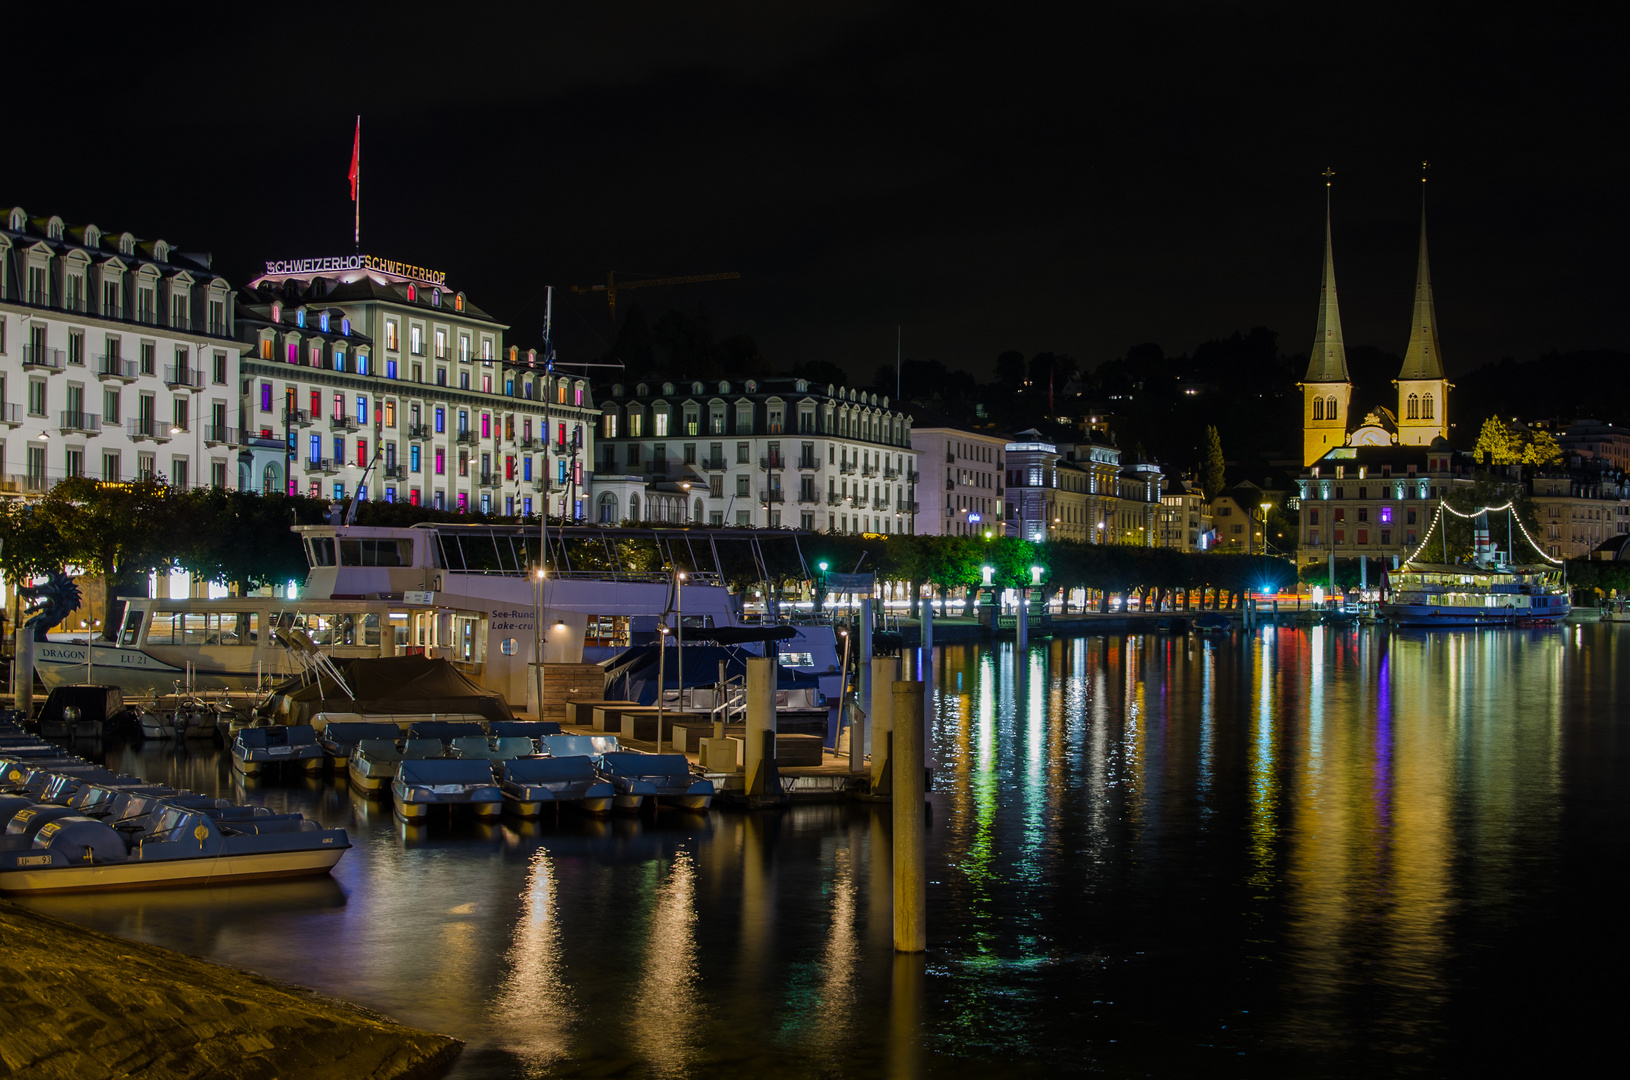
x: 71, y: 825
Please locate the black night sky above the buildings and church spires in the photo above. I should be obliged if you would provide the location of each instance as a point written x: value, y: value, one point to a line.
x: 1077, y: 182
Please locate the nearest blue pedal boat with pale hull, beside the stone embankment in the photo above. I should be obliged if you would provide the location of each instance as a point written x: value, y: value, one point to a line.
x: 74, y: 853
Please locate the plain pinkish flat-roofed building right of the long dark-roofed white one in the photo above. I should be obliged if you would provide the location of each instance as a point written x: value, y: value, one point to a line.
x: 963, y: 476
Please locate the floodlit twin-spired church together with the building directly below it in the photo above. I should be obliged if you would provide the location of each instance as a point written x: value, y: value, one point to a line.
x: 1372, y: 483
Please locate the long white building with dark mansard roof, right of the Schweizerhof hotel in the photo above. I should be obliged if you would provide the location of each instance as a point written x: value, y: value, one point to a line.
x: 775, y: 452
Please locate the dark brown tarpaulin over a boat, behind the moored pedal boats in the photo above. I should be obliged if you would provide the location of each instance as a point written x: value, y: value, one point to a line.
x: 395, y: 685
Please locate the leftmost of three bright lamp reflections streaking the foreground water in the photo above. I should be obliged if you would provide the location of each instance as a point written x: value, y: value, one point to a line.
x: 535, y: 1009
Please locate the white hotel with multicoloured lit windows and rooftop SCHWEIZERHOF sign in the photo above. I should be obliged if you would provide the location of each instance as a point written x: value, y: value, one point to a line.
x: 359, y: 361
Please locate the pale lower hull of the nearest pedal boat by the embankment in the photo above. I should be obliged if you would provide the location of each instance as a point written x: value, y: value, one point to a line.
x: 170, y: 872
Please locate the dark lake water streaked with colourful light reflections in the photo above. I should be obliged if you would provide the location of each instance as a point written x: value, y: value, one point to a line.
x: 1300, y: 854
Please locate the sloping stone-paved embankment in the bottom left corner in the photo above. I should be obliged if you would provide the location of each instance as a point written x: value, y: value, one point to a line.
x: 84, y: 1006
